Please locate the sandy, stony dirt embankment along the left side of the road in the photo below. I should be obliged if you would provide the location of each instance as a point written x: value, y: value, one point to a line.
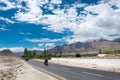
x: 17, y: 69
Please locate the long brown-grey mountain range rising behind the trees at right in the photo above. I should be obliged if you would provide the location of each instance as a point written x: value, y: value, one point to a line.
x: 86, y: 47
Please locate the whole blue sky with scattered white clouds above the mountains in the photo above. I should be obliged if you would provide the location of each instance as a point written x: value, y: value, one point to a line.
x: 35, y: 24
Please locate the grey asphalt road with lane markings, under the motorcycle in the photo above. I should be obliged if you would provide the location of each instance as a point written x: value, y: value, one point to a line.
x: 74, y: 73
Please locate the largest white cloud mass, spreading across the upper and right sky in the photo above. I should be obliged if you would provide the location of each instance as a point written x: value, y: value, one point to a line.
x: 94, y: 21
